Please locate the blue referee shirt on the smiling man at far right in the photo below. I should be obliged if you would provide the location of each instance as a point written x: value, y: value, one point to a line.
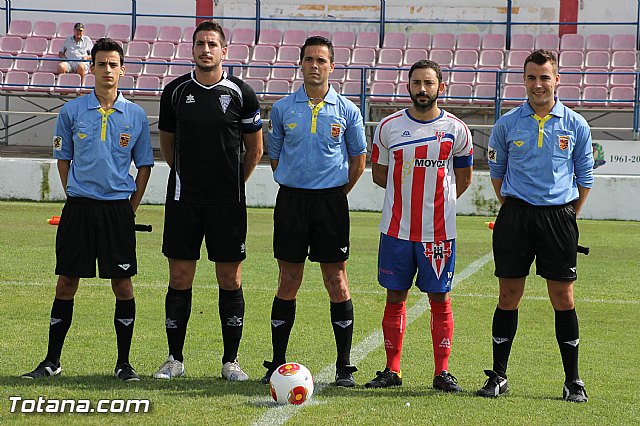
x: 541, y: 160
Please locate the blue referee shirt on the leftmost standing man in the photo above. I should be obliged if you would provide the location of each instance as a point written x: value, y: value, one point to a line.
x: 101, y: 145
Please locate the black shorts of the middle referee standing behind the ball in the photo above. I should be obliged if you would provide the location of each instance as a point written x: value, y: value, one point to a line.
x: 311, y: 222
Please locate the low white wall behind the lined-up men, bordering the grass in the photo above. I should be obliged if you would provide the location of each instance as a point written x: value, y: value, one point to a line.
x: 37, y: 180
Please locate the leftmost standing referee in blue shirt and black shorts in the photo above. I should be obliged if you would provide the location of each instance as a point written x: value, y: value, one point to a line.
x: 97, y: 136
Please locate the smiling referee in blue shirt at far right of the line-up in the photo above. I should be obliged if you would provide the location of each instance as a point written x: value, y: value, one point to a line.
x: 541, y: 166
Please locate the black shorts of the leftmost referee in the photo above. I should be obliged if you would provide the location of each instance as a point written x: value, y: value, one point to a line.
x: 91, y: 229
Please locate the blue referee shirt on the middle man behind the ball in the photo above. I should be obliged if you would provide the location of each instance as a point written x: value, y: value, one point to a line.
x: 313, y: 144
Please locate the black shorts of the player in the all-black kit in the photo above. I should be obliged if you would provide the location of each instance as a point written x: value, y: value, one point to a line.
x: 223, y: 226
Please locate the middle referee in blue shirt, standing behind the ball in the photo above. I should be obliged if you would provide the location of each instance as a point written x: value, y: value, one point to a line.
x: 317, y: 148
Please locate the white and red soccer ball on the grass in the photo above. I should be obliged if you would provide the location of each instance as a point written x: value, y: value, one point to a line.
x: 291, y: 383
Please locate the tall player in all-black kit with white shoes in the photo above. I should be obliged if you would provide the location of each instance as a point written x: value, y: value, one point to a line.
x: 211, y: 138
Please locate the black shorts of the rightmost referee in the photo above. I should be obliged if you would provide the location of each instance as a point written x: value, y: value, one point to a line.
x: 523, y: 231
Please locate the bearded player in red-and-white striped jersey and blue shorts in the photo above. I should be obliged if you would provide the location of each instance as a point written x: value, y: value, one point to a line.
x: 423, y: 156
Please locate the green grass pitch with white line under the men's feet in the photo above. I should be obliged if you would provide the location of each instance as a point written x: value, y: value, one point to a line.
x: 607, y: 300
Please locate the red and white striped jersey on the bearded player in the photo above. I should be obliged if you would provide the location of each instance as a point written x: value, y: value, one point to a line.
x: 420, y: 199
